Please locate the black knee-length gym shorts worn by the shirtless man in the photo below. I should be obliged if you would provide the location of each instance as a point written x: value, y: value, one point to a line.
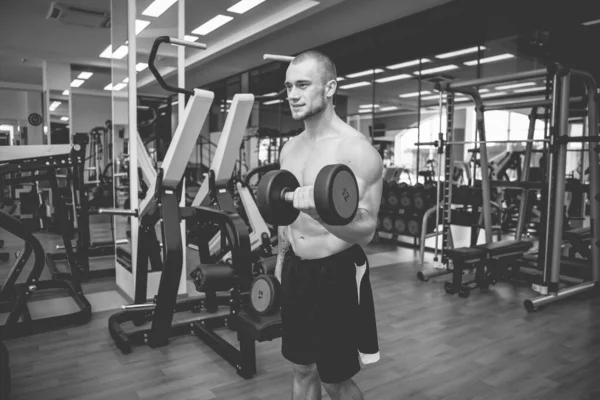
x: 319, y: 308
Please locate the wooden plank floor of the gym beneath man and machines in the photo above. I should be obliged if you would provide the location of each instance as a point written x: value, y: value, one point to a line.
x: 433, y: 346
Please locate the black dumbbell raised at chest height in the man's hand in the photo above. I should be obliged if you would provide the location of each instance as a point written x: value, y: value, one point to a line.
x: 335, y: 194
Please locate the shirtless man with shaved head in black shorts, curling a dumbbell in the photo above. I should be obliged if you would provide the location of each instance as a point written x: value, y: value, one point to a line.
x: 315, y: 263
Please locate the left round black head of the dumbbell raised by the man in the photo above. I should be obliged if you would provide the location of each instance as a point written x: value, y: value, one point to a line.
x: 269, y: 197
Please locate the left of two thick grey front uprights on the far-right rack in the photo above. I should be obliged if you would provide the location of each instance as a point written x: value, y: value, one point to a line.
x: 560, y: 176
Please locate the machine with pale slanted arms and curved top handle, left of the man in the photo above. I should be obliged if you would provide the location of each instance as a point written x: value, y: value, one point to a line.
x: 163, y: 204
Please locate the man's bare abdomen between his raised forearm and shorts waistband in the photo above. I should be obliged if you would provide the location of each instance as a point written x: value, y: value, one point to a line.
x: 310, y: 240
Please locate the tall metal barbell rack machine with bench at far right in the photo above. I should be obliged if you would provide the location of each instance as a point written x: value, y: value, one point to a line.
x: 496, y: 256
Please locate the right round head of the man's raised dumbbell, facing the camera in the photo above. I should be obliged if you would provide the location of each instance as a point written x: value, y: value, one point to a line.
x: 336, y: 194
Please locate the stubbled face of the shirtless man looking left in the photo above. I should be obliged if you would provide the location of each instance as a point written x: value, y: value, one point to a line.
x: 306, y: 89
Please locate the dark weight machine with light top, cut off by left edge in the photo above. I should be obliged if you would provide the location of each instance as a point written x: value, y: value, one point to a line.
x: 41, y: 161
